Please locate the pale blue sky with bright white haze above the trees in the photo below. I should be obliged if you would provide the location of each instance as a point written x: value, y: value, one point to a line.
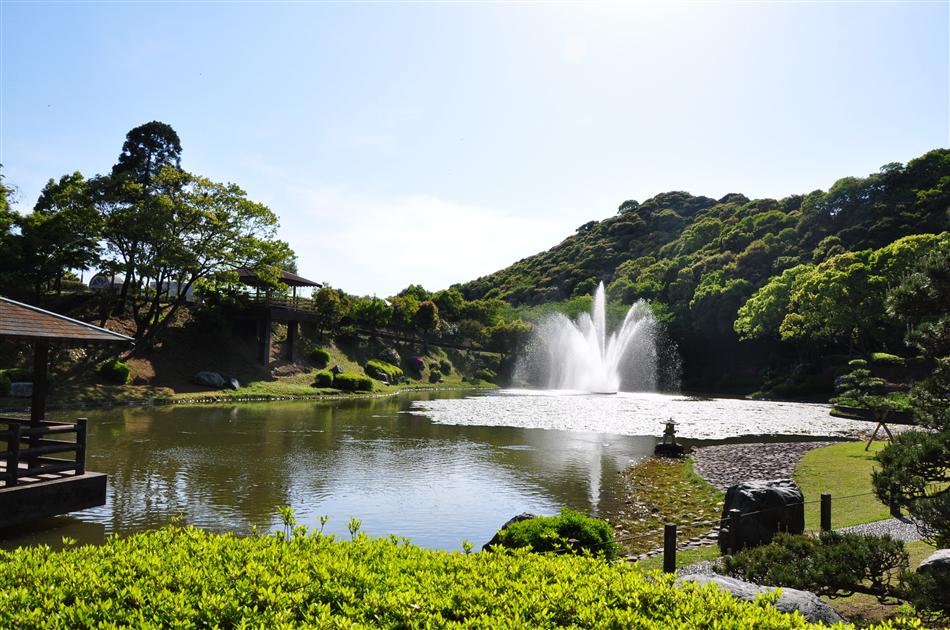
x: 435, y: 142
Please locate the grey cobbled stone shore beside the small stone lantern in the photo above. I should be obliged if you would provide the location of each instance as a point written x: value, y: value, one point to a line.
x: 724, y: 465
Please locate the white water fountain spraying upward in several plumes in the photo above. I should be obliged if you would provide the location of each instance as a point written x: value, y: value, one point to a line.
x: 581, y: 355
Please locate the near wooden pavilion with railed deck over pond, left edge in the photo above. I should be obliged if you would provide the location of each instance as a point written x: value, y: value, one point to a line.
x: 42, y: 474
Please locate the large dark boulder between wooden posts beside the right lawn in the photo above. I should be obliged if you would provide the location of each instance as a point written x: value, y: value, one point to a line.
x: 772, y: 506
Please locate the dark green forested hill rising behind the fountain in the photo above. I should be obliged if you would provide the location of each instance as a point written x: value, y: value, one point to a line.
x: 699, y: 259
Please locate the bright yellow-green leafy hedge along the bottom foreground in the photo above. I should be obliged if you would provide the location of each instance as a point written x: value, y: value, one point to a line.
x: 185, y: 577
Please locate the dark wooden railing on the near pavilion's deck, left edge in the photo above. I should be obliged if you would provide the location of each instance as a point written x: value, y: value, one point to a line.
x: 29, y: 462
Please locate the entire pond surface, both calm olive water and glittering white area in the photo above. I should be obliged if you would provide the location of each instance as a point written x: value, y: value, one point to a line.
x: 436, y: 467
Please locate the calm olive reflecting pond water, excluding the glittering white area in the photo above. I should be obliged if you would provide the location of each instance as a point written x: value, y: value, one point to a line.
x: 228, y: 468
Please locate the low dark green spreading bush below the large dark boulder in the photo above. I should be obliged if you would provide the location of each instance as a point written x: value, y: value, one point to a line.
x: 834, y: 564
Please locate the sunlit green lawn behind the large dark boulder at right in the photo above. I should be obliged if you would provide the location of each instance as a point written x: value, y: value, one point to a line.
x: 842, y: 470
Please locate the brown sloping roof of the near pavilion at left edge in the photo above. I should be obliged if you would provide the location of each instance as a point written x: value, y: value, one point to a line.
x: 30, y: 323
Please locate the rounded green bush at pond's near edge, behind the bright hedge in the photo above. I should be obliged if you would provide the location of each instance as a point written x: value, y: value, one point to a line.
x: 571, y: 530
